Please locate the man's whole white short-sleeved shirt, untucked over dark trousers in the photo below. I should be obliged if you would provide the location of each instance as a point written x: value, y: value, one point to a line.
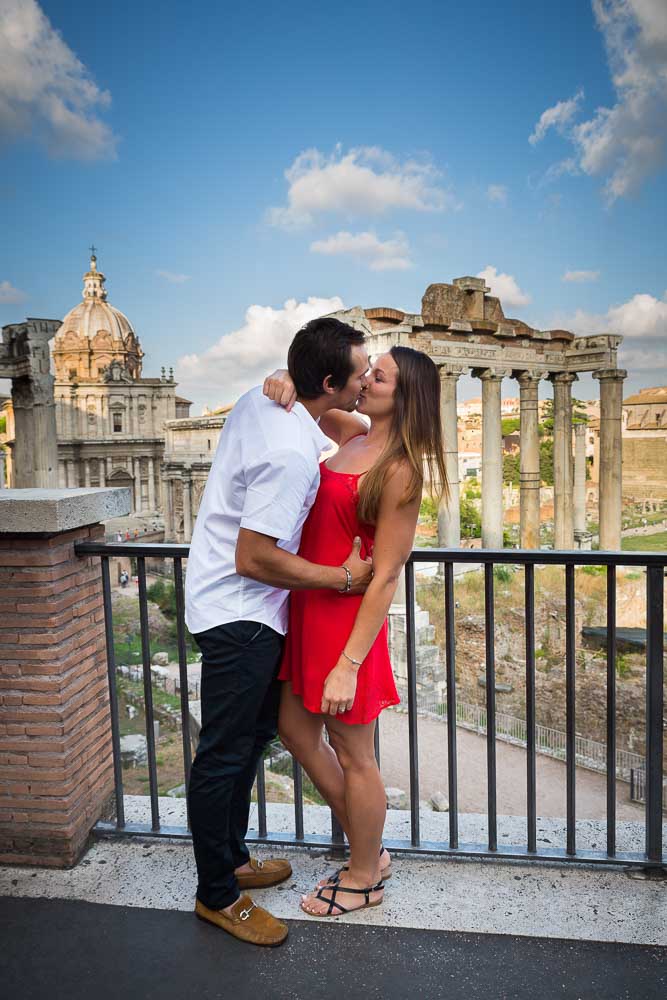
x: 264, y: 477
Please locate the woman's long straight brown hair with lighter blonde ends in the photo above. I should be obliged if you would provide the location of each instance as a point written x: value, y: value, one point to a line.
x: 415, y: 436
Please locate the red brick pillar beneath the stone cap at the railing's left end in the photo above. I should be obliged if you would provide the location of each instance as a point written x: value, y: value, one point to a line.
x: 56, y: 772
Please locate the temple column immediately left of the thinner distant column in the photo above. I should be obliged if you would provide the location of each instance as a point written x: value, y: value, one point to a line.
x: 563, y: 485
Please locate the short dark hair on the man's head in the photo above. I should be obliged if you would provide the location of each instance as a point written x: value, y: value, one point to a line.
x: 320, y: 348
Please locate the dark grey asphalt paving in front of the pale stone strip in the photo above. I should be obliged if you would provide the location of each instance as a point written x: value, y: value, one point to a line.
x: 56, y: 948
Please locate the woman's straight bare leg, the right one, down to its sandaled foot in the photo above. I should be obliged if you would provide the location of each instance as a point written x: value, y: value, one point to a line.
x: 366, y: 807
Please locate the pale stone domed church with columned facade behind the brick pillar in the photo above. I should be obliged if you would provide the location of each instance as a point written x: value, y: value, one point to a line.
x: 109, y: 419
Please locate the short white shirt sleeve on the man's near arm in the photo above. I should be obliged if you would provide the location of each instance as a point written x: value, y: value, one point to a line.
x: 276, y: 490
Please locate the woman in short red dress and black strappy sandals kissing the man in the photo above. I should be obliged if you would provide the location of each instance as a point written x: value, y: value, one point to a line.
x: 336, y: 665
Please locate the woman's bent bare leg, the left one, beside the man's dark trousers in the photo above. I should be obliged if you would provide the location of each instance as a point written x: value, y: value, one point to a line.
x: 302, y: 733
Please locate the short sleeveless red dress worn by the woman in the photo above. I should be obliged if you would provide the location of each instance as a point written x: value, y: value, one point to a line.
x: 320, y: 621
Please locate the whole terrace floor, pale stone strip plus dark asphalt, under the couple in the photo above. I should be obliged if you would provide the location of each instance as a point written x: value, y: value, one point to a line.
x: 120, y: 925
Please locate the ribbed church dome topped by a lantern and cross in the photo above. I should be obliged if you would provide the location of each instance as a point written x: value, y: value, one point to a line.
x: 93, y: 334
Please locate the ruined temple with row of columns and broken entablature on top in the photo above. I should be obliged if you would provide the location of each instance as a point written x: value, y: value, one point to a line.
x: 463, y: 328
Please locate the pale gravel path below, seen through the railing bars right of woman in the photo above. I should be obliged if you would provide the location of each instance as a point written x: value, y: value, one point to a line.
x: 510, y: 769
